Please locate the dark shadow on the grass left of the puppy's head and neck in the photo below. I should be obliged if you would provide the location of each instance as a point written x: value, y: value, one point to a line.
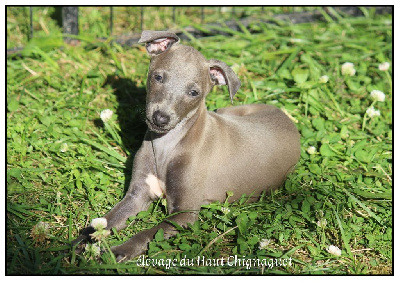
x: 131, y: 114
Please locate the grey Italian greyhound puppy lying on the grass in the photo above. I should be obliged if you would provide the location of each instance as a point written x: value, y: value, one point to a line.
x: 192, y: 156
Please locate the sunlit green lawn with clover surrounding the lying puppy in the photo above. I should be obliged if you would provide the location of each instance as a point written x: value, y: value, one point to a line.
x: 64, y: 167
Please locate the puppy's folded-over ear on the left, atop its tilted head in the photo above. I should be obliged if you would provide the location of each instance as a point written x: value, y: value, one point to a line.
x: 158, y: 42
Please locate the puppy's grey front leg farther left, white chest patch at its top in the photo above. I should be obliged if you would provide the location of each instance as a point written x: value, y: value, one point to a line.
x: 140, y: 194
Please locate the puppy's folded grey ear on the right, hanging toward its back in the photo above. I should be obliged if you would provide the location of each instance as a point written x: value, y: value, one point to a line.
x: 222, y: 74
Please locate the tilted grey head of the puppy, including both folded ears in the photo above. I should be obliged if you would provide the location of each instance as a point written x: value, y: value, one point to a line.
x: 179, y: 79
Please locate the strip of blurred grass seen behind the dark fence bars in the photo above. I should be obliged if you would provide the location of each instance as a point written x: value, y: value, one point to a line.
x: 95, y: 20
